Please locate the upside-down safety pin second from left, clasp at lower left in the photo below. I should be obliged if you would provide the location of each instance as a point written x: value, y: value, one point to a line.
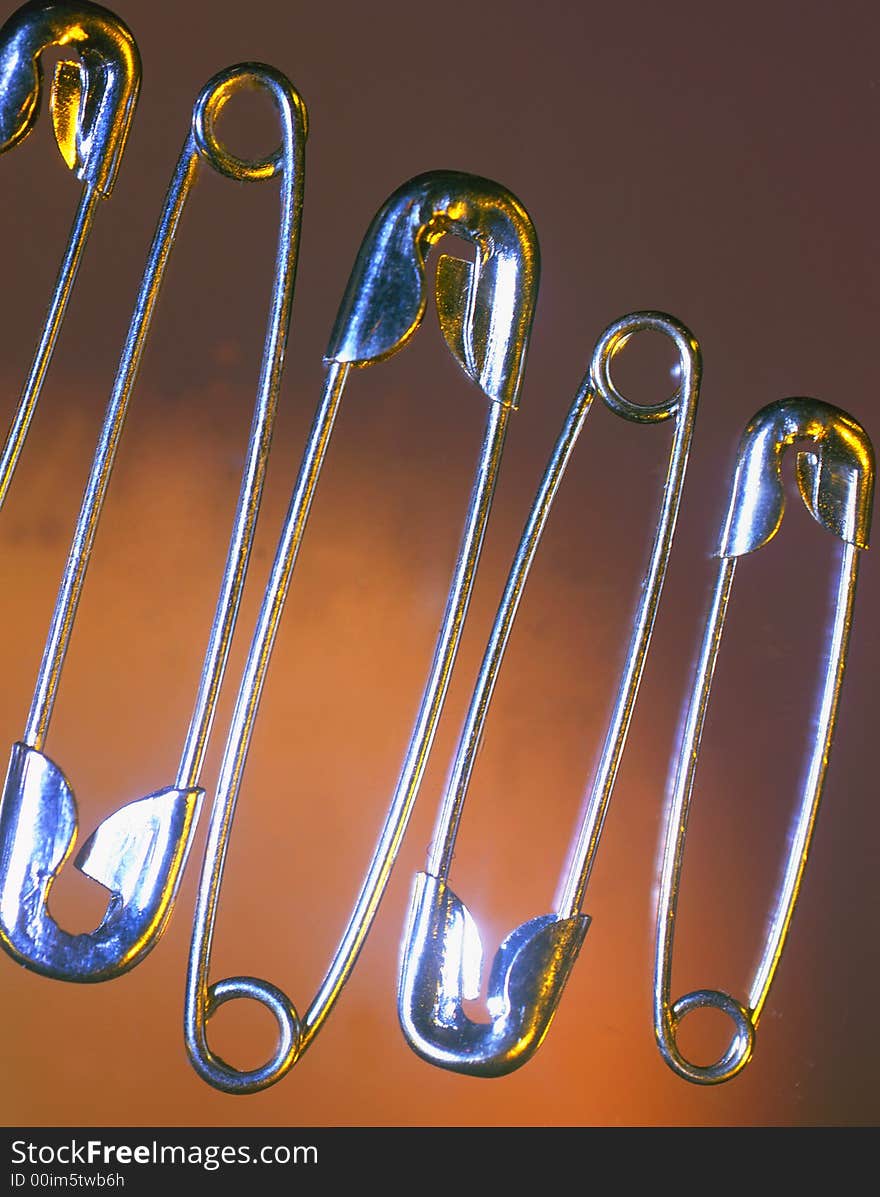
x: 141, y: 850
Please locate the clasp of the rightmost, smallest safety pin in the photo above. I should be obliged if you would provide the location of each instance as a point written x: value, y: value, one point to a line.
x: 835, y: 471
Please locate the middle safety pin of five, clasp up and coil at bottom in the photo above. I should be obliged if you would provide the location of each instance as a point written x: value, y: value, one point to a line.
x: 485, y: 312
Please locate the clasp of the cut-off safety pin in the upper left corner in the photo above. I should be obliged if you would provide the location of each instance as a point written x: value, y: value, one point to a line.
x: 93, y: 98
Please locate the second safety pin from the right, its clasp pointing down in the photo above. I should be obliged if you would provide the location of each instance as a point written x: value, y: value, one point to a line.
x: 441, y: 956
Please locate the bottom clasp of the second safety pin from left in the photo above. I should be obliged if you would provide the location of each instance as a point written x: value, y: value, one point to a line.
x: 138, y: 854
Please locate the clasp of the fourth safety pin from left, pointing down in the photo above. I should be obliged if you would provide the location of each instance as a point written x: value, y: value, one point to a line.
x: 442, y: 969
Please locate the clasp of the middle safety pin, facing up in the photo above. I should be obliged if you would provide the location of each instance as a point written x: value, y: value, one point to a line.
x: 485, y: 308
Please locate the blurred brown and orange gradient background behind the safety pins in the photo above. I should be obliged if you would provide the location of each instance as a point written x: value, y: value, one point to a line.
x: 715, y: 162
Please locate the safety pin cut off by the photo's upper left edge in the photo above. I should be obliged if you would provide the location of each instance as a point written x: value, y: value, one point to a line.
x: 93, y: 105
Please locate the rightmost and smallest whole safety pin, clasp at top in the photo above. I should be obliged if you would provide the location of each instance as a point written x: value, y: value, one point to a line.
x: 835, y: 467
